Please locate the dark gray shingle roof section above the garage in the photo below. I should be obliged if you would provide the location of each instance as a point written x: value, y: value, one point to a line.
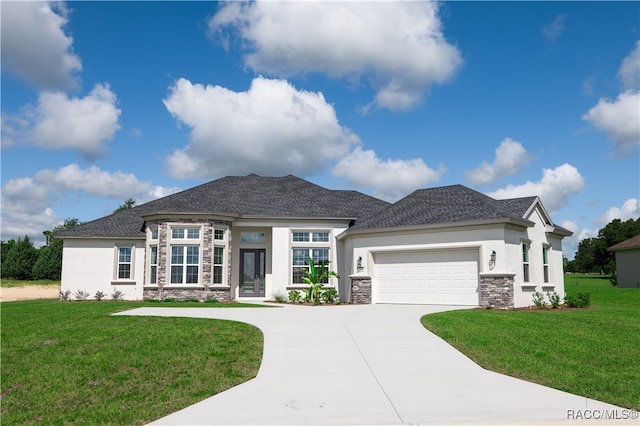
x: 444, y: 205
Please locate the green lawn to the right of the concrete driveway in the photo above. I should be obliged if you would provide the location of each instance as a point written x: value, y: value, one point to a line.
x: 590, y: 352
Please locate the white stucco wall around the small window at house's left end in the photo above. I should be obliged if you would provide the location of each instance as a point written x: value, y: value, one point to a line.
x: 90, y: 265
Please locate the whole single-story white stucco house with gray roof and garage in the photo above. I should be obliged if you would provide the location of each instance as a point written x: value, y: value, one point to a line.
x: 250, y: 238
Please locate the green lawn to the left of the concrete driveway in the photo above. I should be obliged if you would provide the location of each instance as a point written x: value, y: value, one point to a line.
x: 74, y: 363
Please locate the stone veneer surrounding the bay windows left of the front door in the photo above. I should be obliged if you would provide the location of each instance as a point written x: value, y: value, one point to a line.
x: 208, y: 292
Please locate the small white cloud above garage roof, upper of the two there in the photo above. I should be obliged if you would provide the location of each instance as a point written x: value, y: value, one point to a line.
x: 511, y: 158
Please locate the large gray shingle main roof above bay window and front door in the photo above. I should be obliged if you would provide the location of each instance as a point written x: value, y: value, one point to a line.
x: 238, y: 196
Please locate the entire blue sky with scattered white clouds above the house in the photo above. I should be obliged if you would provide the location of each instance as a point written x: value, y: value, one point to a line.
x: 104, y: 101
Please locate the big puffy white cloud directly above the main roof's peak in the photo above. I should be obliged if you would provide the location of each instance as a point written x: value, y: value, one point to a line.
x: 271, y: 129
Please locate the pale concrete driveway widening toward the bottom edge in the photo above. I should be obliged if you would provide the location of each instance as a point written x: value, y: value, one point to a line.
x: 367, y: 364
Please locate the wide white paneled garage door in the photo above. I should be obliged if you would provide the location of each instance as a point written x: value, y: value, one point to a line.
x: 442, y: 278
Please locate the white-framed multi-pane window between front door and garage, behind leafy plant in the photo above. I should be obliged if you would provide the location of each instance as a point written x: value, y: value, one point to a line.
x: 308, y: 244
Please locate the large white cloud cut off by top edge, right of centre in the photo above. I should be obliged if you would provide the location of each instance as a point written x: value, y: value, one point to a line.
x: 398, y: 47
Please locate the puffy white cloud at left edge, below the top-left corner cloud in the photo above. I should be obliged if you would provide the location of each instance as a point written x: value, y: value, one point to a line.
x: 60, y: 122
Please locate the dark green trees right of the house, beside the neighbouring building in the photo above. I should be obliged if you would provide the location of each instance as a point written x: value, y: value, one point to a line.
x: 592, y: 254
